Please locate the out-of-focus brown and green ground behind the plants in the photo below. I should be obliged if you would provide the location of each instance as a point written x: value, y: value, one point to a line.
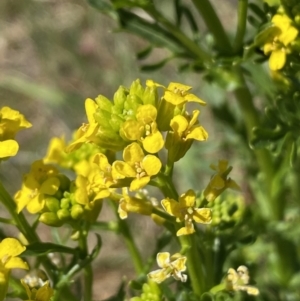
x: 56, y: 53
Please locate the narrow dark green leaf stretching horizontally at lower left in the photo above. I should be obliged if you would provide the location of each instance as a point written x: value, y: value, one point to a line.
x: 44, y: 248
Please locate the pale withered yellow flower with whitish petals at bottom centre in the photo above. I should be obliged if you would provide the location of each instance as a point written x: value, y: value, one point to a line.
x: 170, y: 266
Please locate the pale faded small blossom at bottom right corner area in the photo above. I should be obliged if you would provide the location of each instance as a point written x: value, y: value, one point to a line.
x: 238, y: 281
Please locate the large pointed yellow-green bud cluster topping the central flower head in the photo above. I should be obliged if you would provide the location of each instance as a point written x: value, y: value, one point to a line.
x: 111, y: 115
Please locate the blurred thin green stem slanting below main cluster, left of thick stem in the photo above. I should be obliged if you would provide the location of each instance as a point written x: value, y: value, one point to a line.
x: 129, y: 241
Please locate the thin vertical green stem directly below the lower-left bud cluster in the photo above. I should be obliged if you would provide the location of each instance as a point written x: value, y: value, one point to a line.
x: 87, y: 271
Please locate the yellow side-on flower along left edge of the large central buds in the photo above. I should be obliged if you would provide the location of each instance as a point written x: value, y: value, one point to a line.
x: 87, y: 132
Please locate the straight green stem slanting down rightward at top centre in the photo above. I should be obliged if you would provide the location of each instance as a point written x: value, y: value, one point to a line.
x: 180, y: 36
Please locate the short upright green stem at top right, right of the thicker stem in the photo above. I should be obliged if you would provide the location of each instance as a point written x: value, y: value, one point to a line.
x: 241, y: 25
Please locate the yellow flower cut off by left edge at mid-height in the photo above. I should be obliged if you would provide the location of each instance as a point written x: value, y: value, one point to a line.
x: 11, y: 122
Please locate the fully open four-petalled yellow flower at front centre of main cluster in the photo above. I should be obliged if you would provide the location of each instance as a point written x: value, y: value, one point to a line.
x: 137, y: 166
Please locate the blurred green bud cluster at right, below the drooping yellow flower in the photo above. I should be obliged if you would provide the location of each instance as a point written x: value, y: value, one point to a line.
x: 227, y: 209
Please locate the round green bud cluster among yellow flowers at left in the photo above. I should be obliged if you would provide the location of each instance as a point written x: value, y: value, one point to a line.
x: 60, y: 210
